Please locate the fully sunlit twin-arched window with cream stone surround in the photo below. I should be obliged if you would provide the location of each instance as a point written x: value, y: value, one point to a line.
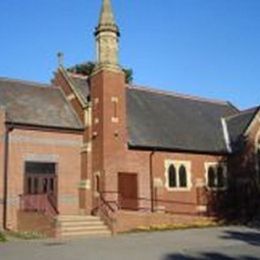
x: 177, y: 174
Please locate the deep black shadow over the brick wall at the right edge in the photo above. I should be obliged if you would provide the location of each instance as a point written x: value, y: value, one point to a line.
x: 240, y: 201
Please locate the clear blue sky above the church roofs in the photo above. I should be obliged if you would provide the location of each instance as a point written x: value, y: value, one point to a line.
x: 208, y: 48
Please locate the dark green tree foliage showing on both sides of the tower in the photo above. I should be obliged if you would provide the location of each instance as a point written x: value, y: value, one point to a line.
x: 87, y: 68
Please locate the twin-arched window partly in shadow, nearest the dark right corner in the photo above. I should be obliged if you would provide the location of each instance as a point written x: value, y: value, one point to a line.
x: 216, y: 175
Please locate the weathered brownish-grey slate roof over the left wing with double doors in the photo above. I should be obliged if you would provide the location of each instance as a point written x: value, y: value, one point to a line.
x: 36, y: 104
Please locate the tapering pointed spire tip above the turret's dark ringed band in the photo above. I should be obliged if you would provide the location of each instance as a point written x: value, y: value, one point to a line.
x: 107, y: 20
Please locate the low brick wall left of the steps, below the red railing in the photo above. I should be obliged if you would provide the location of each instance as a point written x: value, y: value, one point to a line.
x: 35, y: 222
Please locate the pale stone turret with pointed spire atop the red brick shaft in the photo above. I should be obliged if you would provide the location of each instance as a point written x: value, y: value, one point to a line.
x: 107, y: 36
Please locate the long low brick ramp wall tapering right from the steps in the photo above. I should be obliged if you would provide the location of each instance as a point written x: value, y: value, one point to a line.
x: 127, y: 220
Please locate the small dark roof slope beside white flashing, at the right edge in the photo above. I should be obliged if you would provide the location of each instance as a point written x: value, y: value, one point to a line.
x: 238, y: 124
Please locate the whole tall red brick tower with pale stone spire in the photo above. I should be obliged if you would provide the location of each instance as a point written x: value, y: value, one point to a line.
x: 108, y: 99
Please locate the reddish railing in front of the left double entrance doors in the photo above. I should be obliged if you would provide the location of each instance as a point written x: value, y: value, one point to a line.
x: 38, y: 203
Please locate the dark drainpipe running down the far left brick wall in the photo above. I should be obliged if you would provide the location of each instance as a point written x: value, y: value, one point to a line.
x: 8, y: 129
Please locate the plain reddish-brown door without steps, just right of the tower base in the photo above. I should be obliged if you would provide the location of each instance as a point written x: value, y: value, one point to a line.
x: 128, y: 191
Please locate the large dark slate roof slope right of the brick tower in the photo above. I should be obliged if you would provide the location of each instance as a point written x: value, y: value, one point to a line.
x: 175, y: 122
